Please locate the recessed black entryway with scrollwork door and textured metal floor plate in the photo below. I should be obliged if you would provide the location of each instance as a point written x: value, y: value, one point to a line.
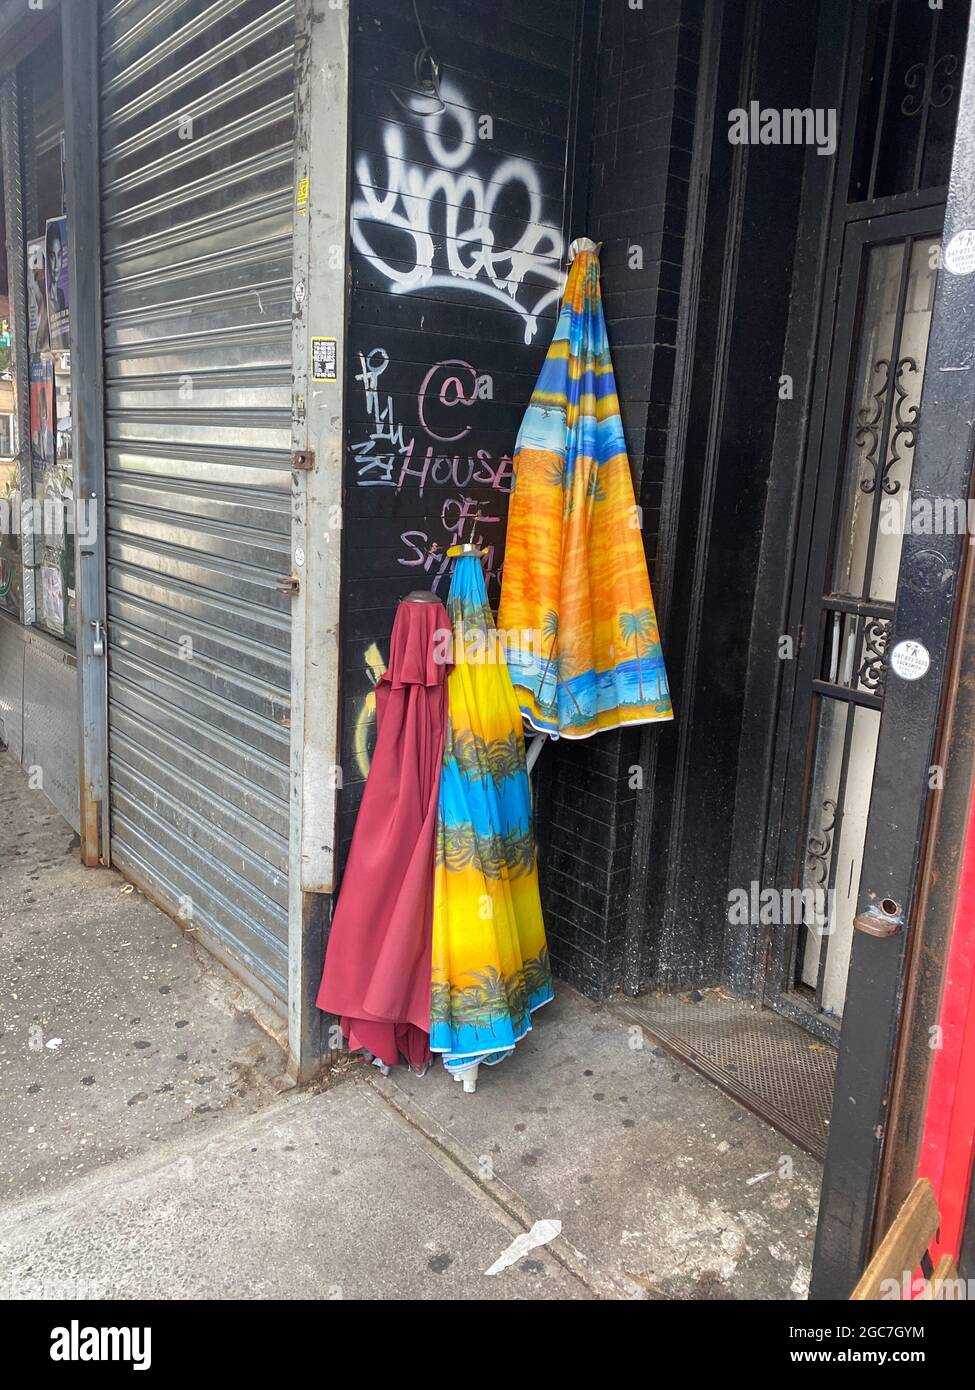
x: 762, y: 1007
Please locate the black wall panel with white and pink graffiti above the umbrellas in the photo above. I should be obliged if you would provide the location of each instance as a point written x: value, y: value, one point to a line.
x: 460, y: 234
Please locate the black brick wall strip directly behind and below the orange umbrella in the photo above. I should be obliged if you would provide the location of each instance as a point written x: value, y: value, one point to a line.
x: 643, y: 124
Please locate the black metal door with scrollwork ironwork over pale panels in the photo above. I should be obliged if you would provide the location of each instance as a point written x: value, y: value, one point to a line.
x: 871, y: 419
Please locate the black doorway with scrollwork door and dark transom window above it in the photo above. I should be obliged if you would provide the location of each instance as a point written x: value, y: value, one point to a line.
x: 869, y: 319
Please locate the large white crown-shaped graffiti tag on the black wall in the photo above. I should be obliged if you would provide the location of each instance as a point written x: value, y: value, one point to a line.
x: 525, y: 277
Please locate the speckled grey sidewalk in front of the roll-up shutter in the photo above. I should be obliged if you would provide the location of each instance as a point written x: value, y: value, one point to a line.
x: 116, y: 1031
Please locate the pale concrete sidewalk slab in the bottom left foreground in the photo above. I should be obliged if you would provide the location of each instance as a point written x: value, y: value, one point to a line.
x: 326, y: 1196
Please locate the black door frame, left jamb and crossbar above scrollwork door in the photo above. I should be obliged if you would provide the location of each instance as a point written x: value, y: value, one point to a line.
x: 774, y: 696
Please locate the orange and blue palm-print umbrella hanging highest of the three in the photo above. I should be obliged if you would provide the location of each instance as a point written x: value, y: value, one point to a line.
x: 577, y: 607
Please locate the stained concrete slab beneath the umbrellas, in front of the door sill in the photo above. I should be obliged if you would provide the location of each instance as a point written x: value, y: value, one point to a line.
x: 666, y: 1188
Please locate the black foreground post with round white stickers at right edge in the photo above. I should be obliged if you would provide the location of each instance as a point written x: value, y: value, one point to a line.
x: 928, y: 590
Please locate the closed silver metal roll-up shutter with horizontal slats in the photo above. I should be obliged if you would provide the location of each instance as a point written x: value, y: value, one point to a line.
x: 197, y: 181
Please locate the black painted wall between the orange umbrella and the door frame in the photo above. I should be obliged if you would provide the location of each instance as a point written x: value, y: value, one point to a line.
x: 636, y: 829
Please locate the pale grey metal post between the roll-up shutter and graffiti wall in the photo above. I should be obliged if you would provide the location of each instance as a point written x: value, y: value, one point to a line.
x: 321, y: 305
